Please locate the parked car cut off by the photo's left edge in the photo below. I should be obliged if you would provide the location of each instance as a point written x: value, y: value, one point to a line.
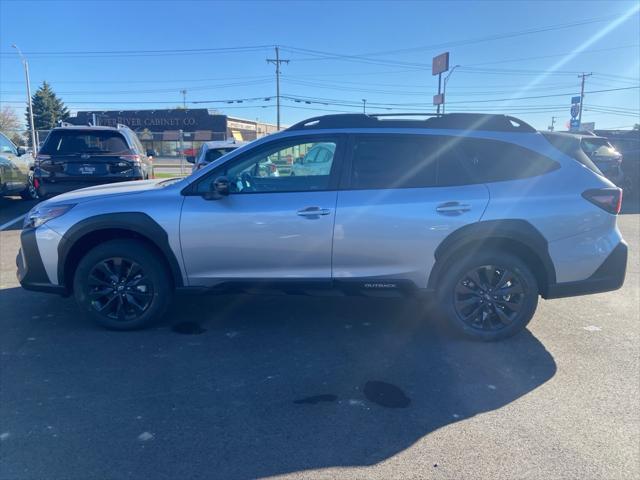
x: 16, y: 170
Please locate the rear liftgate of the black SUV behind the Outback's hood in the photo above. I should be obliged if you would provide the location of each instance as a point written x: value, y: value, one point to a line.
x: 83, y: 155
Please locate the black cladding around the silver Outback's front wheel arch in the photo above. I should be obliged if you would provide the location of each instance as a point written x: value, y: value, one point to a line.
x: 139, y: 224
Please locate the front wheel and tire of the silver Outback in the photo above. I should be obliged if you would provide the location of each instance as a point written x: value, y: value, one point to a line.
x: 122, y: 285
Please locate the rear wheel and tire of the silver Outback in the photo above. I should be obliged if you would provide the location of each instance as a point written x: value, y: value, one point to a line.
x: 488, y: 296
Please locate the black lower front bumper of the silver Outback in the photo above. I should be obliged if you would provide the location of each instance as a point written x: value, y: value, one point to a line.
x: 31, y: 272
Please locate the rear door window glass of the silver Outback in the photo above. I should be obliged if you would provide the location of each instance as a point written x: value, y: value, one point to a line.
x: 394, y: 161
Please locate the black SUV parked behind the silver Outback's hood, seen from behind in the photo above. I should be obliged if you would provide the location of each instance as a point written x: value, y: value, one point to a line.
x: 75, y: 157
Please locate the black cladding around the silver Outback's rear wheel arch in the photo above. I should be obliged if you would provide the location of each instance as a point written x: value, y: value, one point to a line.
x: 517, y: 233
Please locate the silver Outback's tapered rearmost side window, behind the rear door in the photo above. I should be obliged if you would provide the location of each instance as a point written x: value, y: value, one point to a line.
x: 464, y: 160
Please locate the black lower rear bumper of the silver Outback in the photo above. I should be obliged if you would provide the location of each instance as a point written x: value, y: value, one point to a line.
x: 609, y: 276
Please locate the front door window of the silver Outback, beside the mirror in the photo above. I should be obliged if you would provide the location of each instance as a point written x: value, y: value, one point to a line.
x: 275, y: 169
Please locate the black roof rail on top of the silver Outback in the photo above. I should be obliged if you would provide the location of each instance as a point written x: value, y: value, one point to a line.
x: 453, y: 121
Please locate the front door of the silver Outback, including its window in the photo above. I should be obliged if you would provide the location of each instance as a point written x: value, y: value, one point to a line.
x: 272, y: 225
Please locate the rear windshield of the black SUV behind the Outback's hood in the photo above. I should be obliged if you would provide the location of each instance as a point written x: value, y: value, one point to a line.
x: 74, y: 142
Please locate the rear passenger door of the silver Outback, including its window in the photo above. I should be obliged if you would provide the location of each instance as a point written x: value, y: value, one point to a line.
x: 395, y: 206
